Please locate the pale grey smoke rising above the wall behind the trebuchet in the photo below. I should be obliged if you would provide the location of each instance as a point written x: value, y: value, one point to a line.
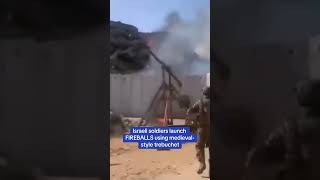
x: 186, y: 48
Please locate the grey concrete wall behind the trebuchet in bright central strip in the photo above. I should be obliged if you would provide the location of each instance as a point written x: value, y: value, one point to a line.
x: 132, y: 94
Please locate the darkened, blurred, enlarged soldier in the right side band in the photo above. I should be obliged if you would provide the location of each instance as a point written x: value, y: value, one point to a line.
x: 291, y: 145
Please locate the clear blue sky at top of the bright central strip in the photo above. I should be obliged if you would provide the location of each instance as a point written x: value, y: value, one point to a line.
x: 149, y: 15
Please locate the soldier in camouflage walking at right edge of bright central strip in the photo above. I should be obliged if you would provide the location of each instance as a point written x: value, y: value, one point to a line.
x: 202, y: 109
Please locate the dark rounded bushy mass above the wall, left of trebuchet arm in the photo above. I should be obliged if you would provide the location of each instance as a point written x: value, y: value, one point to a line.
x: 128, y: 51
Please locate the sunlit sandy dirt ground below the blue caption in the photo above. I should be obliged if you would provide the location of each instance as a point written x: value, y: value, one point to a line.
x: 127, y: 162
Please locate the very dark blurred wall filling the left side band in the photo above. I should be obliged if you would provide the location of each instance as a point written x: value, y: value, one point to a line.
x: 52, y: 112
